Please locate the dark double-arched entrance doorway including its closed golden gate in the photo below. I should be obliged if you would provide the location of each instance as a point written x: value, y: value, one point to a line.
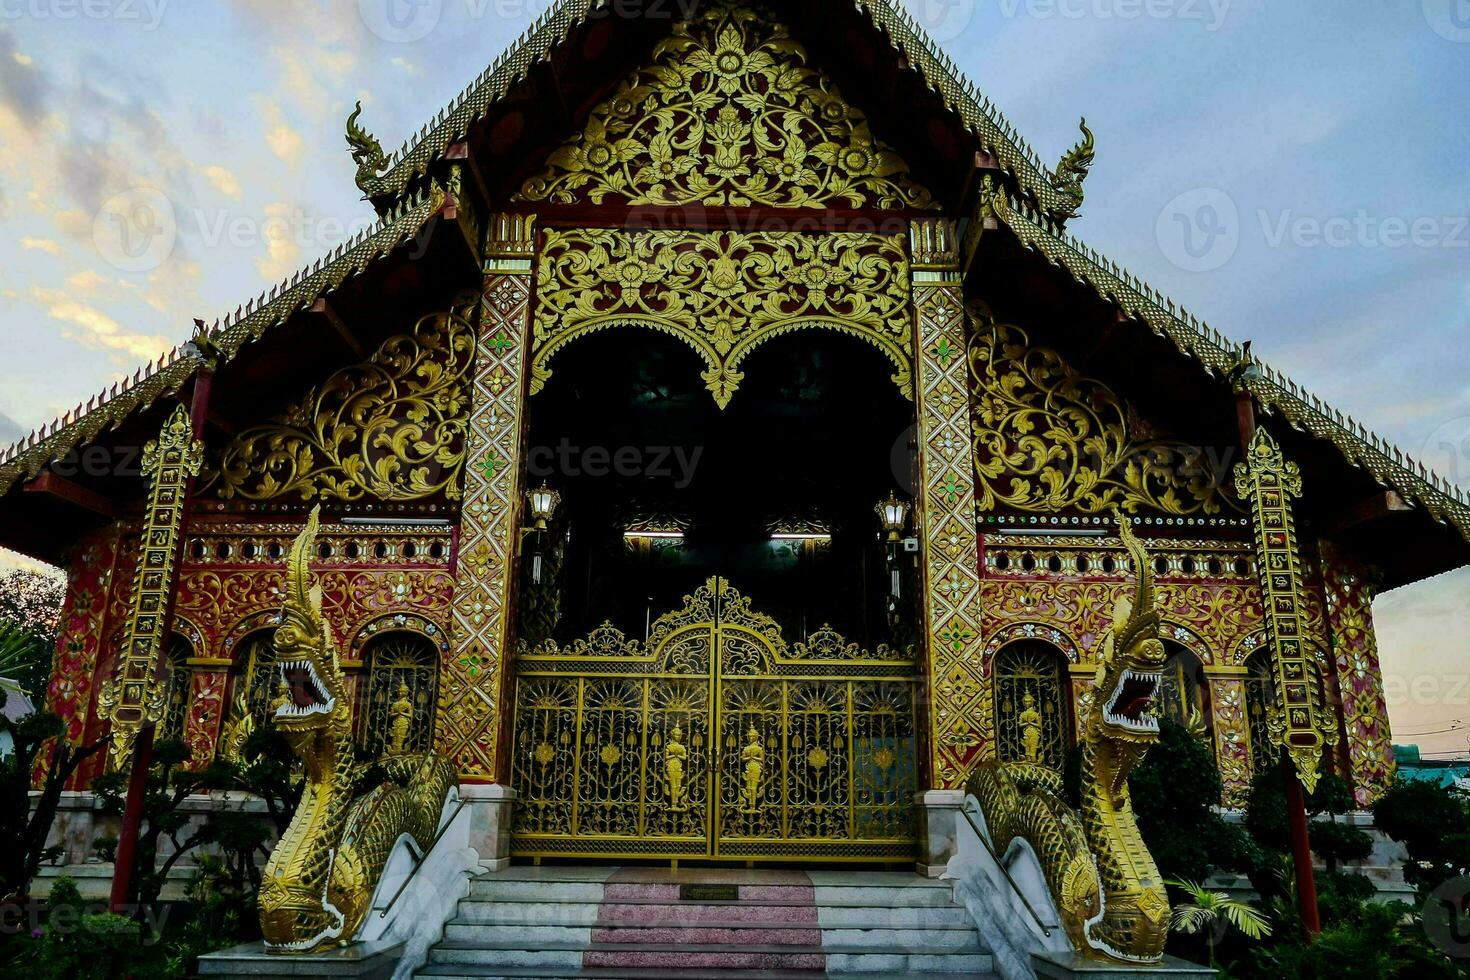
x: 712, y: 663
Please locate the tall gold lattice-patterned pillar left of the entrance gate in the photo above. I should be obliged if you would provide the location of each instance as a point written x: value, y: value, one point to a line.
x: 473, y: 694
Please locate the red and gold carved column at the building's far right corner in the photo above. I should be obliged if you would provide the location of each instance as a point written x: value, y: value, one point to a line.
x: 1360, y: 680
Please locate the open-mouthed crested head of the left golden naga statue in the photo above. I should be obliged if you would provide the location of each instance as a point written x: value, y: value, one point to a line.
x: 306, y: 656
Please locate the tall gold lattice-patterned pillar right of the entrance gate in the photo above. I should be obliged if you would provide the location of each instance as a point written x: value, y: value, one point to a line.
x: 959, y: 694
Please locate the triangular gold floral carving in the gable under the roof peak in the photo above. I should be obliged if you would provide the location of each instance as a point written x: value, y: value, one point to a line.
x: 730, y: 114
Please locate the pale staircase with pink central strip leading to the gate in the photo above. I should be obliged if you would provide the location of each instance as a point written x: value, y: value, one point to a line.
x: 586, y: 922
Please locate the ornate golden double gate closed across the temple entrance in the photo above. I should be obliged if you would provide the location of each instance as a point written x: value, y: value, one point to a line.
x: 714, y: 740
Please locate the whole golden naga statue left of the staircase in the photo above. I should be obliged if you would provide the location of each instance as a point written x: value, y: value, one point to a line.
x: 323, y: 873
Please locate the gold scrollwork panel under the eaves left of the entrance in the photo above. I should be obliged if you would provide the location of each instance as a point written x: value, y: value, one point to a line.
x: 390, y: 428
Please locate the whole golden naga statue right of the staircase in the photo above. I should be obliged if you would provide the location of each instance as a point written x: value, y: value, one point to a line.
x: 1097, y: 868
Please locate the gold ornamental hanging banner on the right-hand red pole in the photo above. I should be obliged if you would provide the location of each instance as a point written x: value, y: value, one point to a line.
x: 1269, y: 484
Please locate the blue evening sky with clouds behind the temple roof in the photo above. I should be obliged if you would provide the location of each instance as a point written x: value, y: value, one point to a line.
x: 1293, y: 173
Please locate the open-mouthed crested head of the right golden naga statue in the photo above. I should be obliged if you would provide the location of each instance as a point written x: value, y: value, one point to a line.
x: 1130, y: 668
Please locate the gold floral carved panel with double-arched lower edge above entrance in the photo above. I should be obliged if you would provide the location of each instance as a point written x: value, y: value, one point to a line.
x: 723, y: 293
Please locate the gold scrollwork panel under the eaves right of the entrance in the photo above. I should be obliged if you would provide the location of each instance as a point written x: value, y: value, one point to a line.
x: 1049, y: 439
